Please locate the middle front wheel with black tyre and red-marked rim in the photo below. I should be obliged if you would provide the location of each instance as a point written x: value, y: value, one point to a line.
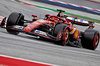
x: 61, y: 31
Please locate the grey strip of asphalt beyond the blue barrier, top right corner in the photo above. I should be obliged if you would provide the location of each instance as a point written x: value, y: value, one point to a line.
x: 83, y: 3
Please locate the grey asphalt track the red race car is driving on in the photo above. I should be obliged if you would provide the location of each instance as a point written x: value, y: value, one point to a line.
x: 29, y: 47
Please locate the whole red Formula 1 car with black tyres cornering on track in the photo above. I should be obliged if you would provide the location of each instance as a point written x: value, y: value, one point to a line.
x: 58, y: 28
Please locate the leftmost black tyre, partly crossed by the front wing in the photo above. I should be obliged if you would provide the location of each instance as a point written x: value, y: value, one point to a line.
x: 14, y: 19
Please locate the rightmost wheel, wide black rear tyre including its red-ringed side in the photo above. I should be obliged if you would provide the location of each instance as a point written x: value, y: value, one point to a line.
x: 90, y: 39
